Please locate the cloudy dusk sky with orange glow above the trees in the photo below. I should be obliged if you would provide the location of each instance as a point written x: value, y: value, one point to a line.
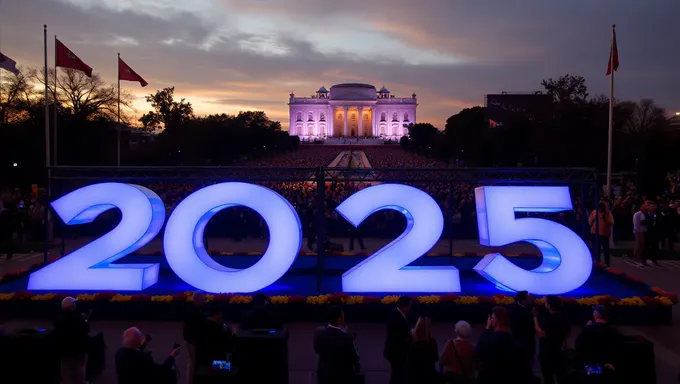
x: 232, y: 55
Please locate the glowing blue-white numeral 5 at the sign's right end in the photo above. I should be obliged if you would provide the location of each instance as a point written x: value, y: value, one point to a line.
x: 566, y: 259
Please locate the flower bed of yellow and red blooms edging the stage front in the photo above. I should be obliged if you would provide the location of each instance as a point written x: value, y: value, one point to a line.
x: 653, y: 306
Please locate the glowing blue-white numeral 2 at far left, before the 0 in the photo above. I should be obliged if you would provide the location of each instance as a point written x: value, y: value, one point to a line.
x: 90, y: 268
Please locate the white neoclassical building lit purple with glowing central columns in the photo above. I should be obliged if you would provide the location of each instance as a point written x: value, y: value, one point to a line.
x: 351, y: 110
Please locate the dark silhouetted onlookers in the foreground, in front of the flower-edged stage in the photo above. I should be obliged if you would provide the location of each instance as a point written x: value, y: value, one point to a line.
x: 514, y: 340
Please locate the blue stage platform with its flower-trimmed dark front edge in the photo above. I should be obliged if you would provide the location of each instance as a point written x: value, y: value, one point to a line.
x: 303, y: 292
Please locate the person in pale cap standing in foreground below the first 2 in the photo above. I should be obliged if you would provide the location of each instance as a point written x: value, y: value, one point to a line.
x: 72, y: 336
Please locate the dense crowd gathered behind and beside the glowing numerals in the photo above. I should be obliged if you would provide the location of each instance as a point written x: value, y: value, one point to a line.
x: 23, y: 214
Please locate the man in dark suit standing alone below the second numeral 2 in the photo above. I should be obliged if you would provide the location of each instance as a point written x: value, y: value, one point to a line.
x: 338, y: 358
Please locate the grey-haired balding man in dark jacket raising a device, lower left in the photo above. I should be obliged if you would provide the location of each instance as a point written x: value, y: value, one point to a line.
x: 135, y: 366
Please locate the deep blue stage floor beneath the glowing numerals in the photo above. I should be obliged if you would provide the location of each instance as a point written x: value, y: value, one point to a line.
x: 302, y: 279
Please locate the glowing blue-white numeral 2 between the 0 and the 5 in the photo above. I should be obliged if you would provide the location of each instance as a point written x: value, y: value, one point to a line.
x: 386, y: 270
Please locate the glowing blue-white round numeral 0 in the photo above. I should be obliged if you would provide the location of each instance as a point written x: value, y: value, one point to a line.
x: 186, y: 254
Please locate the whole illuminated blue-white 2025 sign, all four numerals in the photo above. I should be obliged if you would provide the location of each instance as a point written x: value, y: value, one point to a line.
x: 566, y: 259
